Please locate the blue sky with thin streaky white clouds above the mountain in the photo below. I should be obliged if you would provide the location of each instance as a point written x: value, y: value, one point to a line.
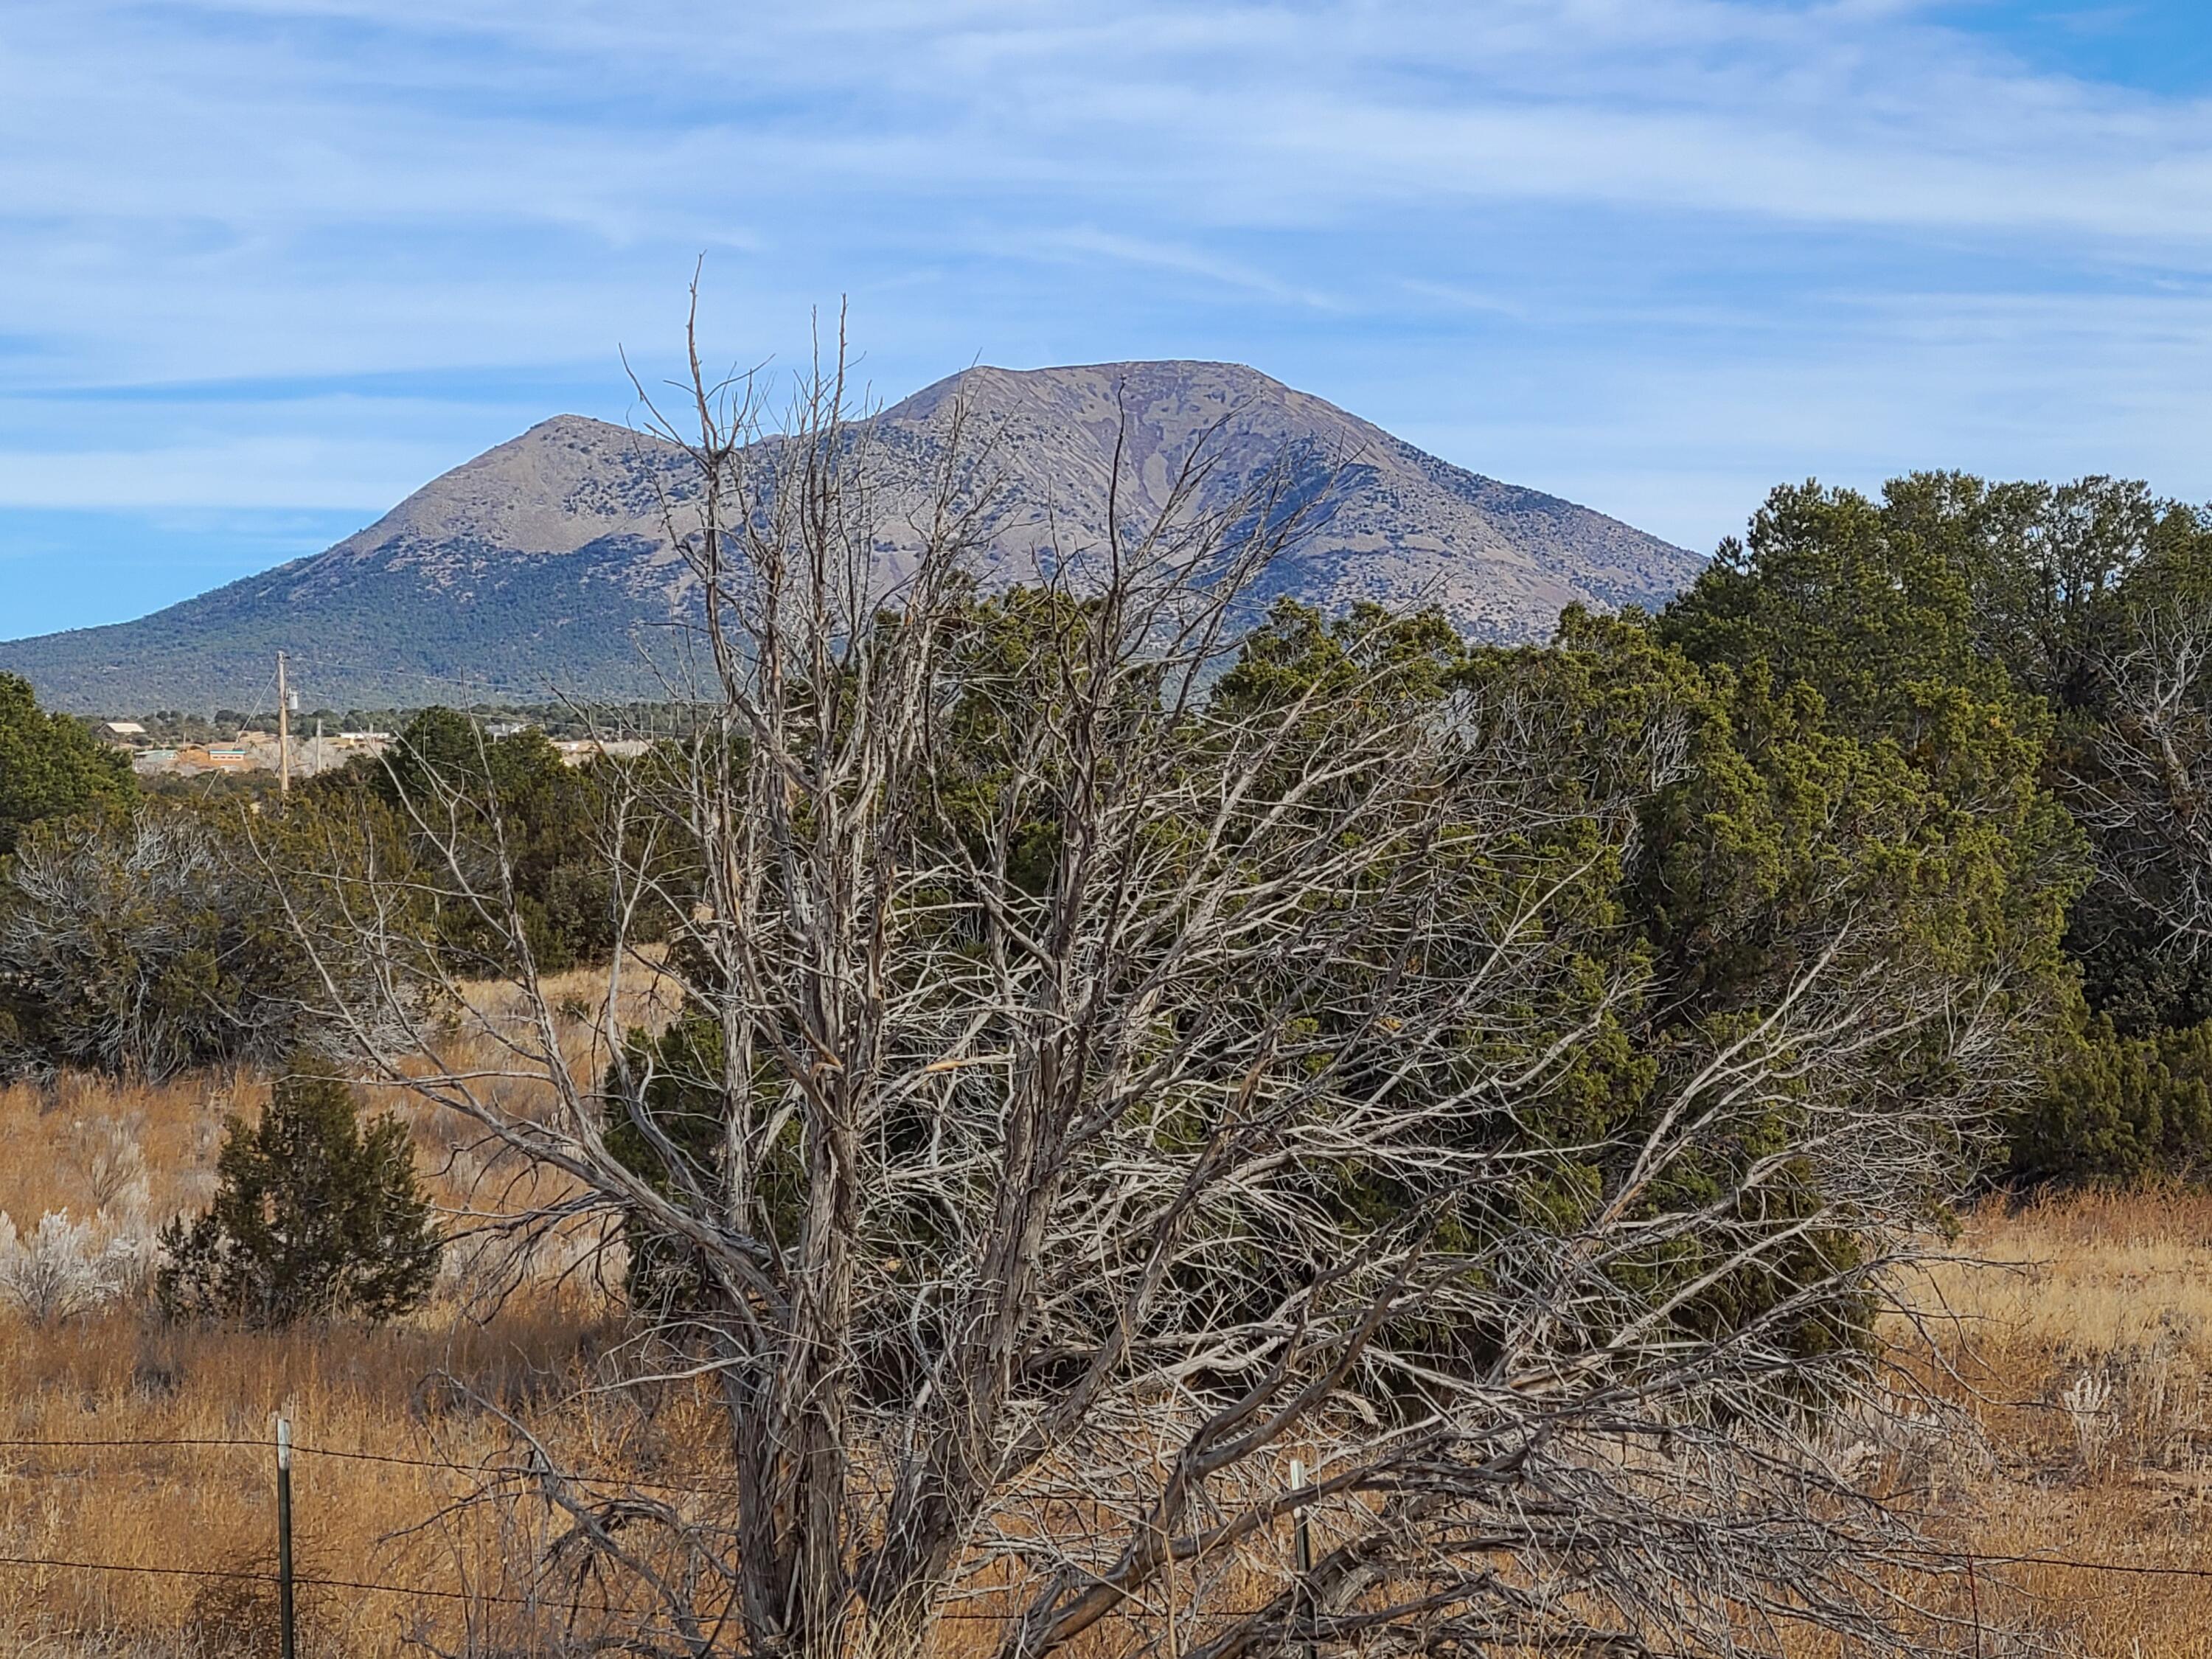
x: 269, y: 267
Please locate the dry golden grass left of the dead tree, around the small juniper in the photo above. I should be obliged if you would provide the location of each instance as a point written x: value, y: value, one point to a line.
x: 432, y: 1388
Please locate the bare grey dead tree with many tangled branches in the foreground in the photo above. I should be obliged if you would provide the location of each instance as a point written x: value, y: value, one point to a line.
x: 1114, y: 1092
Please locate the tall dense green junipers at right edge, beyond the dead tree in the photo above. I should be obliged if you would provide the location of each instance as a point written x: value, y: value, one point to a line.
x: 2030, y: 660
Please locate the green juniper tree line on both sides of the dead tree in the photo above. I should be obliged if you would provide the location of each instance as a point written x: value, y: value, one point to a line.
x: 1974, y: 720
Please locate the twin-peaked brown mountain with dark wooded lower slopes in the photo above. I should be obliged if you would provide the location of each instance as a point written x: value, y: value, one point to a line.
x: 543, y: 565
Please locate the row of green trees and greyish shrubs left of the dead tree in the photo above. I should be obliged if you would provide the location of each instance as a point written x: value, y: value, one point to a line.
x: 152, y: 932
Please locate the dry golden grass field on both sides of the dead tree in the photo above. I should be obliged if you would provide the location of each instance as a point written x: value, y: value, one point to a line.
x: 2078, y: 1353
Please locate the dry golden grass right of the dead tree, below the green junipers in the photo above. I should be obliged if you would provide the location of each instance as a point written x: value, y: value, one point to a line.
x: 2083, y: 1357
